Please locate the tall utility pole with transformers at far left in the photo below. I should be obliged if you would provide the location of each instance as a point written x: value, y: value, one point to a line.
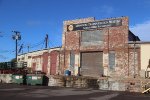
x: 16, y: 37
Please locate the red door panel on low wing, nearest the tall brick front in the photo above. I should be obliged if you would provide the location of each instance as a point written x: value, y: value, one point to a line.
x: 53, y: 62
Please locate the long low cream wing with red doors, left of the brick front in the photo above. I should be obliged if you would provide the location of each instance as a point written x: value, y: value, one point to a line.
x: 46, y: 61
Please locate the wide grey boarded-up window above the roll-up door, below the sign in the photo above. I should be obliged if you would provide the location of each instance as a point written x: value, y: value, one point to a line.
x: 92, y: 37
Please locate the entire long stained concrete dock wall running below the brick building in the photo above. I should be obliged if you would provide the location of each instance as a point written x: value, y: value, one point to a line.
x: 104, y: 83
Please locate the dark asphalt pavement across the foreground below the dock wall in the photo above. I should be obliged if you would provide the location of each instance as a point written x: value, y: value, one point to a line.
x: 17, y: 92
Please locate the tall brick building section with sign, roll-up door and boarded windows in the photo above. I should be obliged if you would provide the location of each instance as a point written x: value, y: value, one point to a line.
x: 100, y: 47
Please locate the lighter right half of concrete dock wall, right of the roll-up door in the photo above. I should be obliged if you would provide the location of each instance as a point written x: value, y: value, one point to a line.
x: 126, y: 84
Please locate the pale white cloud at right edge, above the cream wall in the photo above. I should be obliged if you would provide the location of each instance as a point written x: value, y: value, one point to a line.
x: 142, y: 30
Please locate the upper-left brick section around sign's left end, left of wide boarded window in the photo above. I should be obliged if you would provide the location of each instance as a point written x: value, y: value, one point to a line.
x: 70, y: 40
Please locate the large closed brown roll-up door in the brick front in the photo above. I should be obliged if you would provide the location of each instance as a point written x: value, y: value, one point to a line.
x: 92, y: 64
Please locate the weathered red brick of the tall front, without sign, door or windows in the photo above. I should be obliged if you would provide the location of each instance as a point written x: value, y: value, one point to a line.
x: 115, y: 39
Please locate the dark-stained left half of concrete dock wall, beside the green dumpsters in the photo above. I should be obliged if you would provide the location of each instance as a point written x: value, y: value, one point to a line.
x: 72, y: 81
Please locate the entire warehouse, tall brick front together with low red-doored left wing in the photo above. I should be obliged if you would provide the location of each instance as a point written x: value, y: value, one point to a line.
x: 94, y: 48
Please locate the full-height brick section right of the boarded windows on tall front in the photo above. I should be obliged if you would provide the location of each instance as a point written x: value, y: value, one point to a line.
x: 117, y: 41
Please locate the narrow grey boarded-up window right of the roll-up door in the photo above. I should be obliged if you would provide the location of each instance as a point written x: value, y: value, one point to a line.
x: 112, y: 59
